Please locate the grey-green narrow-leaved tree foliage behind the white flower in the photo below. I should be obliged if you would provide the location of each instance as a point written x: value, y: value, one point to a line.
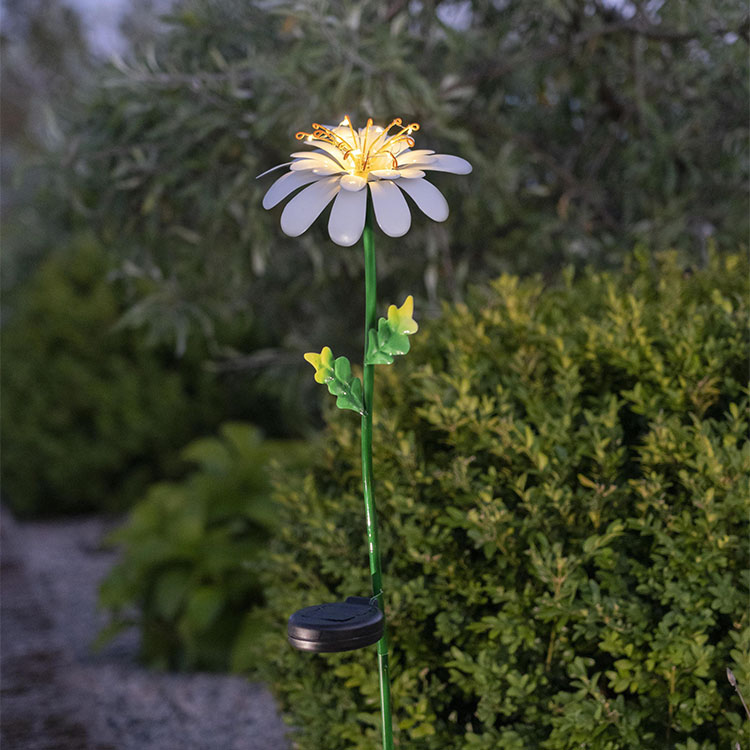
x: 590, y: 125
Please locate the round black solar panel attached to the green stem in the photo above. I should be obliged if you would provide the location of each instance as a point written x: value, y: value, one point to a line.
x: 338, y: 626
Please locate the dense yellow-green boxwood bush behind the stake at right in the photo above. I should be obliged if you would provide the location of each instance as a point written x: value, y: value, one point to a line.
x: 561, y: 475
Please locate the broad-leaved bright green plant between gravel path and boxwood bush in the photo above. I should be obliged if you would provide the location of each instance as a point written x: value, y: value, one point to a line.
x: 188, y: 577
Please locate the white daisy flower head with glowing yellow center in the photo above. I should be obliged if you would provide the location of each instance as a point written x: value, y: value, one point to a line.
x: 343, y: 163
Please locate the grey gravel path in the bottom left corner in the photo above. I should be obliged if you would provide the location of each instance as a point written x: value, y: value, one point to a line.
x: 56, y: 694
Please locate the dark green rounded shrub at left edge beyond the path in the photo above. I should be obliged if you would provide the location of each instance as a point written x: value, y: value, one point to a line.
x: 91, y: 415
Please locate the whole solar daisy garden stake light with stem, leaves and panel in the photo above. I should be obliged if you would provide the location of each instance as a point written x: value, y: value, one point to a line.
x: 343, y: 163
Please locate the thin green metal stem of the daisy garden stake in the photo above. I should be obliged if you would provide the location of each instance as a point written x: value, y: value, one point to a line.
x: 372, y: 519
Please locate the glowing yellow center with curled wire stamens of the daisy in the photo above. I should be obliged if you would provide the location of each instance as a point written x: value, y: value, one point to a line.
x: 366, y: 152
